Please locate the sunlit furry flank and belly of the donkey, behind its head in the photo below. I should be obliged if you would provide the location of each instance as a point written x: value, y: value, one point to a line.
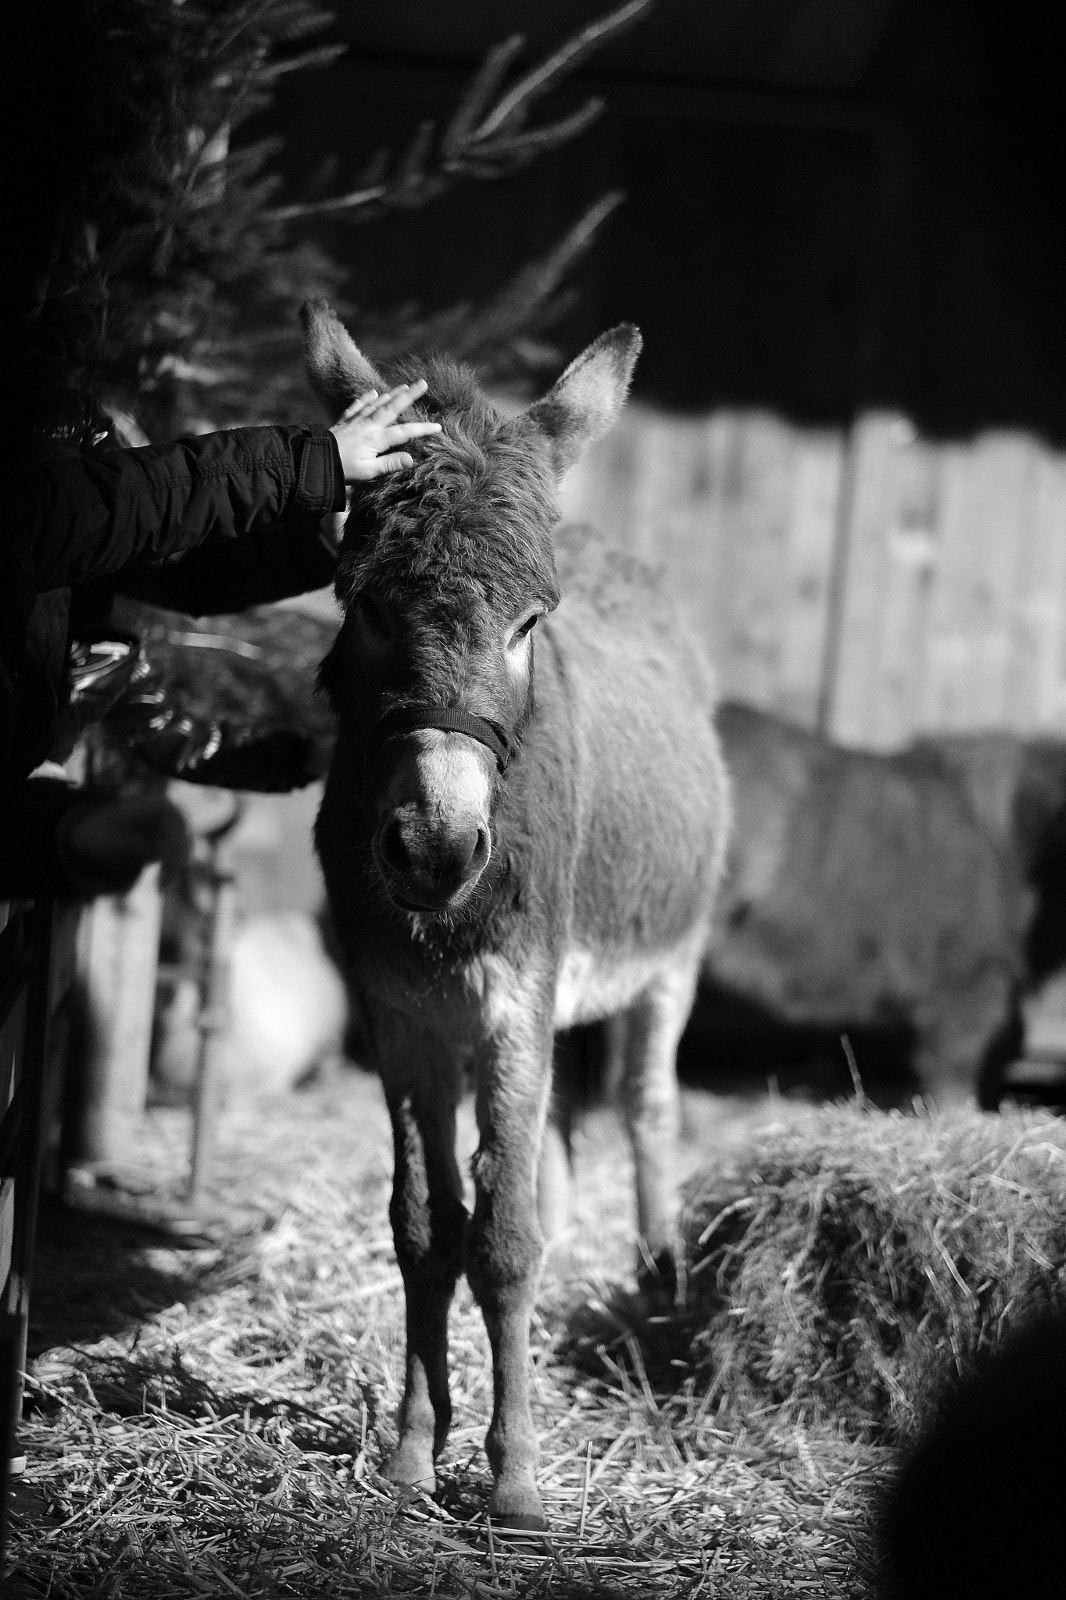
x: 627, y: 702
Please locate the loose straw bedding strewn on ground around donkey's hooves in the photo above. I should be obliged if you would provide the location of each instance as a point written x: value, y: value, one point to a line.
x: 217, y: 1426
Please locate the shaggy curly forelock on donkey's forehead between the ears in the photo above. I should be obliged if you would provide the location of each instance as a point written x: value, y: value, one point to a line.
x: 473, y: 518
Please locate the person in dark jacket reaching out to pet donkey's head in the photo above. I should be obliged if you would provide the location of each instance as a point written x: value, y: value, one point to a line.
x: 220, y: 522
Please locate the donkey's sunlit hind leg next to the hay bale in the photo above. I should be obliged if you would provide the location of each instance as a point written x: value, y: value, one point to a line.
x: 647, y: 1073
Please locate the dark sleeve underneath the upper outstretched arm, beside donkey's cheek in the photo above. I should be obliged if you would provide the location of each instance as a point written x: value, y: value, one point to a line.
x: 231, y: 575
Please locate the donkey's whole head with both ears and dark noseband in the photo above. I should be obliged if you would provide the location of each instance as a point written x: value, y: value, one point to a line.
x: 444, y: 574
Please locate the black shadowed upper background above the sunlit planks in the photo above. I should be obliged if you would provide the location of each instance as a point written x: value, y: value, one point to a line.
x: 830, y: 206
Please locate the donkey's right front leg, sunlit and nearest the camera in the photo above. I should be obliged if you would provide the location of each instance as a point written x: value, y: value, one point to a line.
x: 503, y: 1260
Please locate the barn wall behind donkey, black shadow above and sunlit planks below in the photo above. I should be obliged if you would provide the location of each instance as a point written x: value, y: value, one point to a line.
x: 848, y: 442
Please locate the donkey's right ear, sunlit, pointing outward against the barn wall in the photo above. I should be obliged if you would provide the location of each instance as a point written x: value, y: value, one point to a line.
x: 587, y: 401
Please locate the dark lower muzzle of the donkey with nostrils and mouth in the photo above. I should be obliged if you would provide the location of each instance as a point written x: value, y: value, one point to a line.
x: 431, y: 866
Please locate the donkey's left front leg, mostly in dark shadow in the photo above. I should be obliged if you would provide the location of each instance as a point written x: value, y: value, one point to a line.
x: 428, y: 1226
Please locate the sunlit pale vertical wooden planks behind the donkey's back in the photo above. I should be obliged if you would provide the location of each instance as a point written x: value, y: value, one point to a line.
x: 868, y: 582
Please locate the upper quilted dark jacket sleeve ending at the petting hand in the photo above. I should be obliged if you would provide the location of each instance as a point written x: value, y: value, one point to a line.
x: 95, y: 513
